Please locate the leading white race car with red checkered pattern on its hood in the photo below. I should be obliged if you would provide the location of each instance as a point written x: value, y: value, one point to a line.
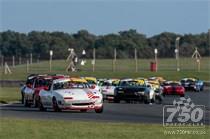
x: 66, y: 94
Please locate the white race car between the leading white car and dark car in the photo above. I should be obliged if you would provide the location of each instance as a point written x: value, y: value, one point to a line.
x: 107, y: 88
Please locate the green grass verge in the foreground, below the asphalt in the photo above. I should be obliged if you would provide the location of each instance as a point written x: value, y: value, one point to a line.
x: 11, y: 128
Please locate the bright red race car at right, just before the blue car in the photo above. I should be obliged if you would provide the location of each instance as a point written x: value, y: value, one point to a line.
x: 173, y: 88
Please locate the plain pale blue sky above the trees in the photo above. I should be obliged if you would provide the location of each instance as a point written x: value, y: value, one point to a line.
x: 105, y: 16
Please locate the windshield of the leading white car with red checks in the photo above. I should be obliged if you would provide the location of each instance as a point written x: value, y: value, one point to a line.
x: 70, y: 85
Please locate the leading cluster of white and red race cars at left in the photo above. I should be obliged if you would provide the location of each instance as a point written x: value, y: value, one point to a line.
x: 61, y: 92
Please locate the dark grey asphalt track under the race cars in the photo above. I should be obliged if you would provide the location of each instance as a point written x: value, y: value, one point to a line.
x: 122, y: 112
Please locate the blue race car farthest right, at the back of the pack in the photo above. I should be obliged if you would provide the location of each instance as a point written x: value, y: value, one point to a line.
x: 192, y: 84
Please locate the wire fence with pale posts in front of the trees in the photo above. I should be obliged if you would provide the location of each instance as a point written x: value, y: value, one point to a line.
x: 35, y: 64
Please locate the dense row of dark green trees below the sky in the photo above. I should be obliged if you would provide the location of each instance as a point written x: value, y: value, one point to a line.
x: 40, y: 43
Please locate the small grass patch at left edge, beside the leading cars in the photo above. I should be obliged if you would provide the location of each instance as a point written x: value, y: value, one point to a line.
x: 9, y: 94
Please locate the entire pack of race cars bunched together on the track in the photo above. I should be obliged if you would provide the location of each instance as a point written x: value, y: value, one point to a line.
x: 62, y: 92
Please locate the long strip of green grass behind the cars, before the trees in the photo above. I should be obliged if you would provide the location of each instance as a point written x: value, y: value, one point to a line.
x: 124, y: 68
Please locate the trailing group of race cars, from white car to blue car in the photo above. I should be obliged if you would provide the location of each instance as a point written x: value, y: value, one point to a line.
x: 145, y: 90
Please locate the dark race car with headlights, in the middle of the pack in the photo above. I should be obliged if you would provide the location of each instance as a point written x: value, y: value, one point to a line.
x: 132, y: 90
